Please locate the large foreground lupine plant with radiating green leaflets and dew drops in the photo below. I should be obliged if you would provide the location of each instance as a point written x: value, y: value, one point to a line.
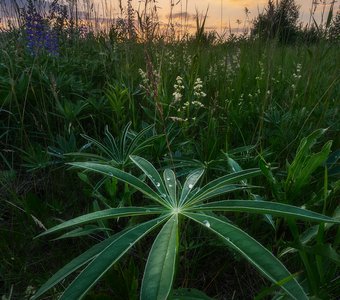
x: 173, y: 204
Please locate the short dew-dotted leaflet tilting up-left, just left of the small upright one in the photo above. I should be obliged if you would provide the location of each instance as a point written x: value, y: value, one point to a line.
x: 151, y: 172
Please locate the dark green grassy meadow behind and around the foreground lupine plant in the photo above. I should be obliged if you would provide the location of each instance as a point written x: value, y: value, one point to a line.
x: 242, y: 99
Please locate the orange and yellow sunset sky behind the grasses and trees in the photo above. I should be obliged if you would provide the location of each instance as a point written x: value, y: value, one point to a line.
x: 221, y: 14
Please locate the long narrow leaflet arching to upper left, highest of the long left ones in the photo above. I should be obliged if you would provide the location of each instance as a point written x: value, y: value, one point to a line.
x: 123, y: 176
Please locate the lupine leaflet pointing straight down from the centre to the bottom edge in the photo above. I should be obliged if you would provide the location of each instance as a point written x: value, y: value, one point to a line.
x: 160, y: 266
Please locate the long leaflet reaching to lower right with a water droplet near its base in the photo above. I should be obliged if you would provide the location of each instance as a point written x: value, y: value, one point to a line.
x: 253, y: 251
